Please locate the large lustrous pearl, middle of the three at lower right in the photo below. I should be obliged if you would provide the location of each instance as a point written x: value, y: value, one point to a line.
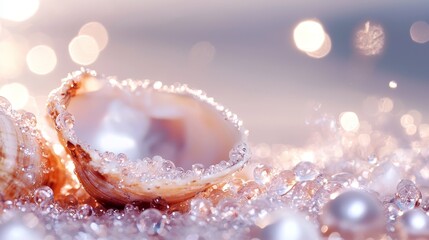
x: 353, y: 213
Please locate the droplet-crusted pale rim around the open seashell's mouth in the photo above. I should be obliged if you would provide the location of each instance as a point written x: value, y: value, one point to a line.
x: 57, y: 108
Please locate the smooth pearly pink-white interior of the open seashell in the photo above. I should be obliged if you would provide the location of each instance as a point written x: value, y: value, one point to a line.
x: 152, y: 123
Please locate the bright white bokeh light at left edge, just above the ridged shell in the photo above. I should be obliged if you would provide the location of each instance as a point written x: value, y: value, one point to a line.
x: 16, y: 93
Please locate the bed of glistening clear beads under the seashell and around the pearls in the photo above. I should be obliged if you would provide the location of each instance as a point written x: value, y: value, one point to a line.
x: 231, y: 210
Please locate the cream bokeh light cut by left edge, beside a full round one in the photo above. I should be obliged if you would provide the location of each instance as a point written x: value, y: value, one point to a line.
x: 11, y: 59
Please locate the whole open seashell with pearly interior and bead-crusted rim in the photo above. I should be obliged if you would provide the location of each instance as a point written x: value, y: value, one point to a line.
x: 134, y: 141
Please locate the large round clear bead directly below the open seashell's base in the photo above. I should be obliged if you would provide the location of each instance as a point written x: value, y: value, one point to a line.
x: 150, y: 222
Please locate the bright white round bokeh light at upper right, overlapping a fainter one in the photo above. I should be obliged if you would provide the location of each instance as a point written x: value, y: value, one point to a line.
x: 309, y: 35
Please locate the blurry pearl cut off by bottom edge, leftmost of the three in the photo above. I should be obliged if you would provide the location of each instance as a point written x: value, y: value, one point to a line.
x: 289, y: 225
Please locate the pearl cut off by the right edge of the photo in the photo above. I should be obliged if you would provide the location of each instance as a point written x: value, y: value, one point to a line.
x: 414, y: 224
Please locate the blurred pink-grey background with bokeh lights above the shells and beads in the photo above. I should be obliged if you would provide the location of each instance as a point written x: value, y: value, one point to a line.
x: 277, y: 64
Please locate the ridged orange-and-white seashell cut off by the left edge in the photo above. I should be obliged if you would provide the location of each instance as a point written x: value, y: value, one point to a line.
x: 26, y: 160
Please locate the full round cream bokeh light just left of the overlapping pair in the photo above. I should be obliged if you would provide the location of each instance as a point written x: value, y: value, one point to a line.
x: 41, y: 59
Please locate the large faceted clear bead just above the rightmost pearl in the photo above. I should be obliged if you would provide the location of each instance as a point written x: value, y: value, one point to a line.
x: 408, y: 196
